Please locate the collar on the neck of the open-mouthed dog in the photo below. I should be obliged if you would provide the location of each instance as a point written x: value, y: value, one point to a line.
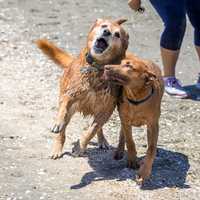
x: 94, y: 67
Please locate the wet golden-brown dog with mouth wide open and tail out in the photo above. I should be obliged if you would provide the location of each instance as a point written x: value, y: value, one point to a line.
x: 82, y: 88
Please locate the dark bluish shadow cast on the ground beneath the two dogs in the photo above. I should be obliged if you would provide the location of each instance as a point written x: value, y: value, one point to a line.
x: 169, y: 169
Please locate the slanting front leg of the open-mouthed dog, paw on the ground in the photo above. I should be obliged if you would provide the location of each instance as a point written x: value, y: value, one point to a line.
x: 99, y: 120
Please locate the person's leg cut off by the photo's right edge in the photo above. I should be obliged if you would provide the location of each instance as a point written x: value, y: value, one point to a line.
x: 193, y: 11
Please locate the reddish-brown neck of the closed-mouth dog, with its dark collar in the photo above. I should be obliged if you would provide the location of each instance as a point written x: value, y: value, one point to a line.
x: 137, y: 95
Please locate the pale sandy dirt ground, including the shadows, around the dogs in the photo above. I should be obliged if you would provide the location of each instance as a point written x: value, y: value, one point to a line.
x: 28, y: 104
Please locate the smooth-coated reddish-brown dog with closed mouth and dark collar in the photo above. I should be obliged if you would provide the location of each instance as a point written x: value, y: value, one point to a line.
x: 141, y: 101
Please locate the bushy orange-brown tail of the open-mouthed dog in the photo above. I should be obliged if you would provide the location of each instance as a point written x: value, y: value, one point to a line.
x: 59, y: 56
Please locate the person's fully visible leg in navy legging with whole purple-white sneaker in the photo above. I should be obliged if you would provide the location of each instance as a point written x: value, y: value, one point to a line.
x: 172, y: 13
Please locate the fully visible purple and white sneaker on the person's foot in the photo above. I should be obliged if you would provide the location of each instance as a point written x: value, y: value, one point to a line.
x: 173, y: 87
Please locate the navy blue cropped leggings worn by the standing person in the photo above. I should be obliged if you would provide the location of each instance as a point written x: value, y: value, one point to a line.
x: 173, y: 14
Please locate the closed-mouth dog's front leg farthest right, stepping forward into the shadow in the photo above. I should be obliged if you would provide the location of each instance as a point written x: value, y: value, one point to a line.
x: 146, y: 166
